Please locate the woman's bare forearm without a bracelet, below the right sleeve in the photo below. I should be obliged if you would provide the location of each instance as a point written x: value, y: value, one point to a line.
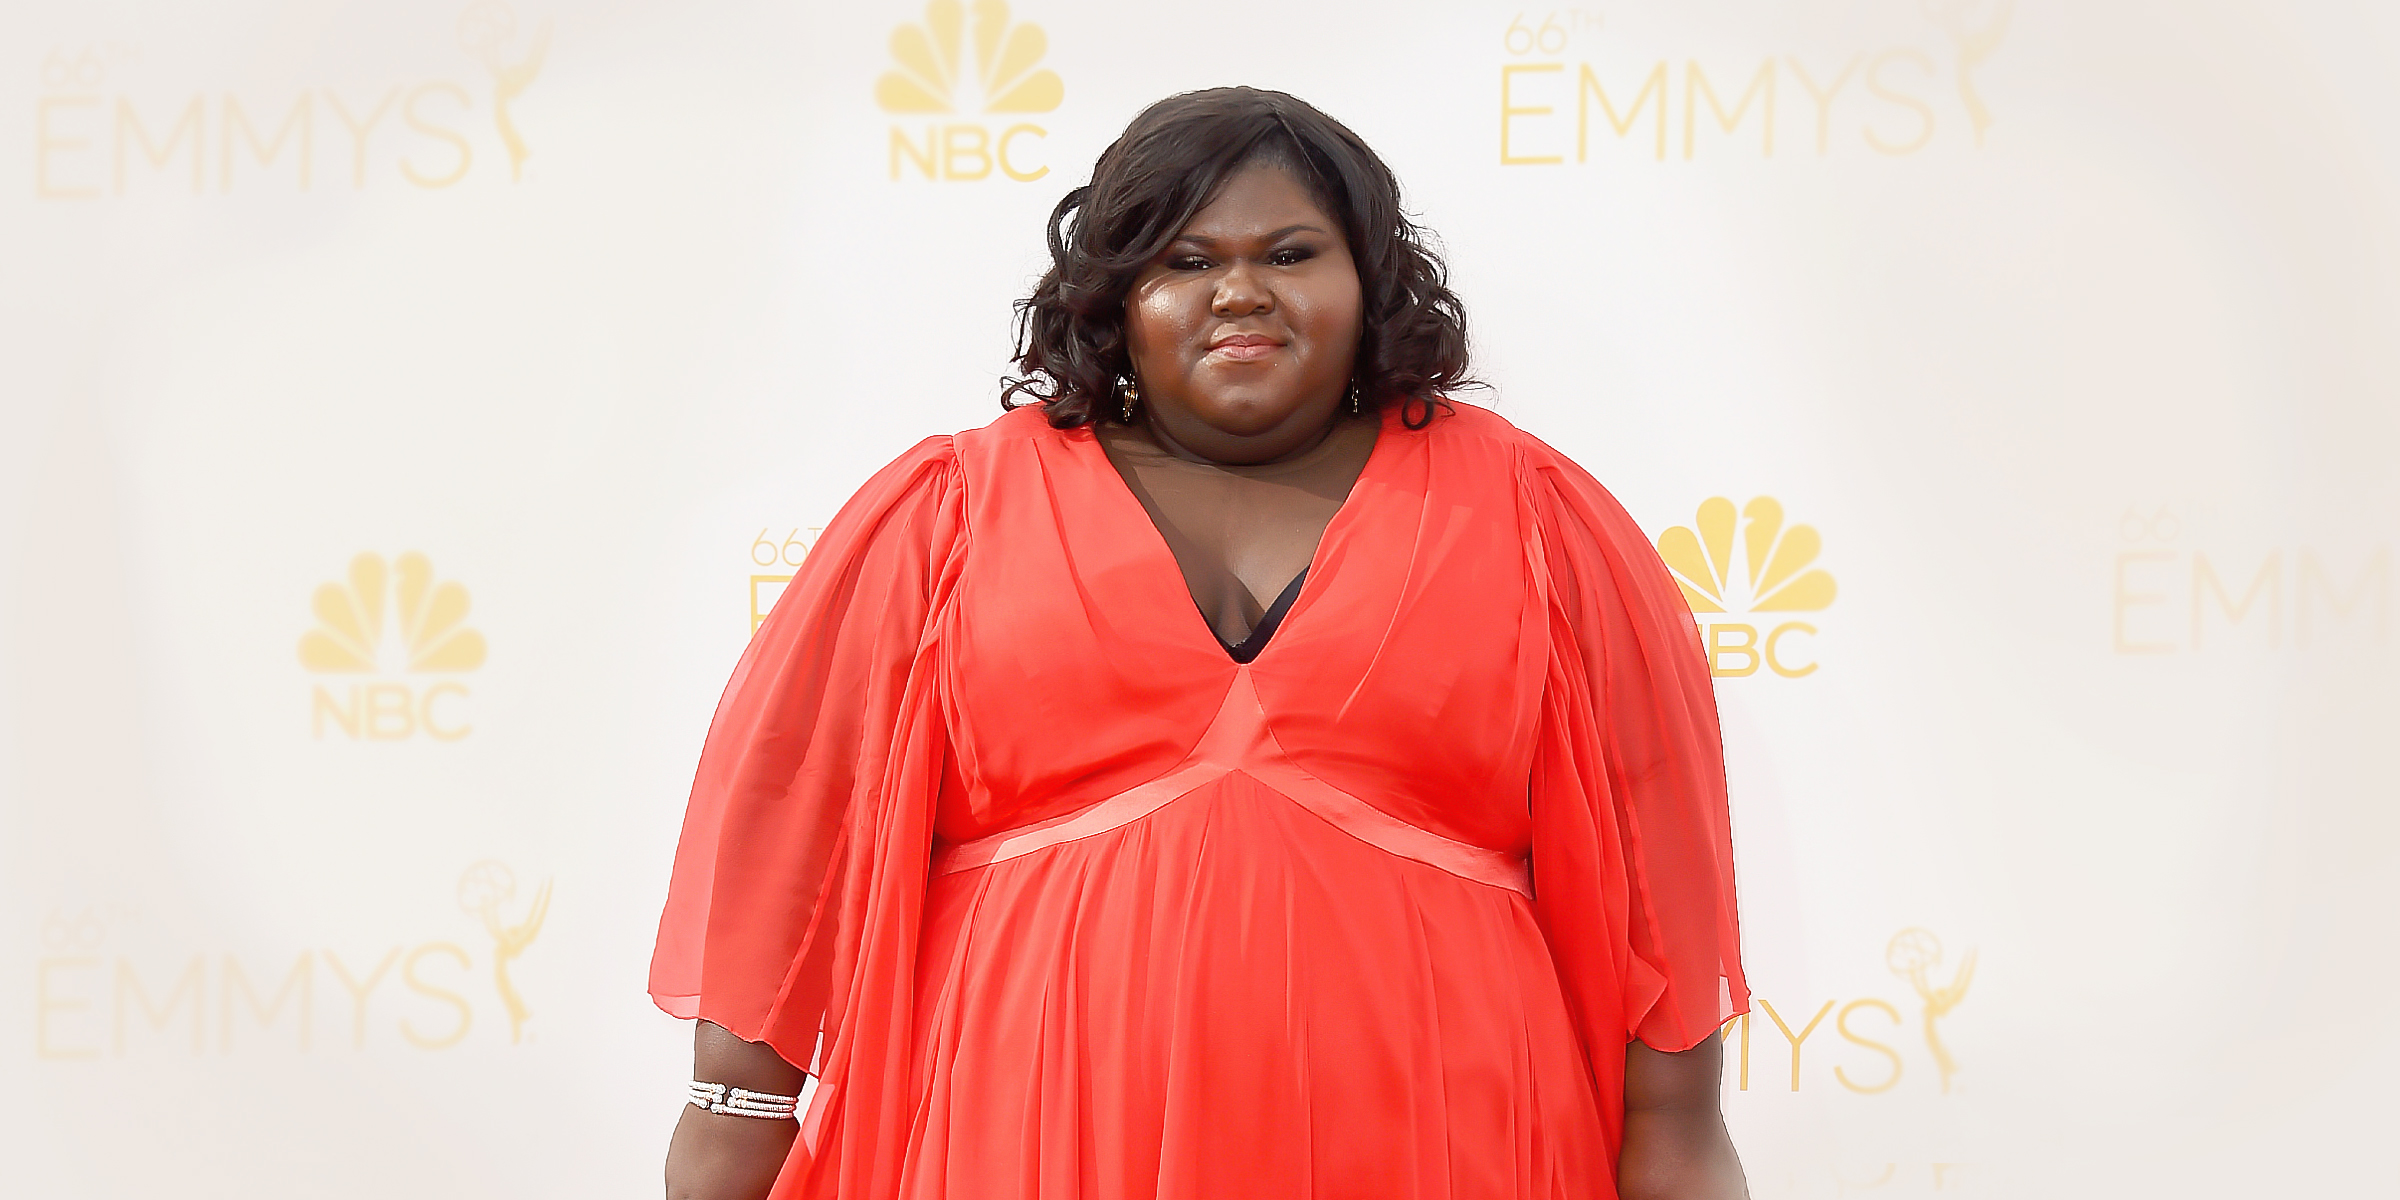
x: 1676, y: 1144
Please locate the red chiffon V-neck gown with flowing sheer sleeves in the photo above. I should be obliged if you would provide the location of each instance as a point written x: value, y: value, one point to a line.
x: 1062, y: 904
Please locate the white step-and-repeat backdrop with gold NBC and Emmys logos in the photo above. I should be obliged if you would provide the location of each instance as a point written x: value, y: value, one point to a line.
x: 407, y: 412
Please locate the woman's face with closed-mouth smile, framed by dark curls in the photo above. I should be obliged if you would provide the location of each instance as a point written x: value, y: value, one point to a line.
x: 1247, y: 325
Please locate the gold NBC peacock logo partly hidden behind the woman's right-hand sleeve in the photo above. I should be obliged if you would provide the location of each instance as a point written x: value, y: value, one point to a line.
x: 1772, y: 575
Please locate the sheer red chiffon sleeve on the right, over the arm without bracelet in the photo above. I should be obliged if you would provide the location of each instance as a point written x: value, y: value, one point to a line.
x: 1633, y: 856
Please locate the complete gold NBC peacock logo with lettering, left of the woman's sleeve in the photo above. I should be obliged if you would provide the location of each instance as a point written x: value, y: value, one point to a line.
x: 428, y: 637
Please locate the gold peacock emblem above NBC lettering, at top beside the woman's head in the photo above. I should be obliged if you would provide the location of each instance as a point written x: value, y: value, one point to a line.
x: 928, y: 64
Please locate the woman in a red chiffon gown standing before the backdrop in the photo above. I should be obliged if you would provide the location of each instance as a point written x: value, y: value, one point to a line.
x: 1242, y: 774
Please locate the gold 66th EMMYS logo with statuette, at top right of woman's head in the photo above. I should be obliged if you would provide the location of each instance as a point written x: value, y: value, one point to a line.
x: 1880, y: 97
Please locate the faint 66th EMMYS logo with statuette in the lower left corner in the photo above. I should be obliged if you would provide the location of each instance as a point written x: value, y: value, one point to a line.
x: 97, y: 997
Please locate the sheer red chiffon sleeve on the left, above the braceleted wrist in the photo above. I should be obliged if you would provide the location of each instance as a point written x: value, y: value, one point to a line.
x: 793, y: 884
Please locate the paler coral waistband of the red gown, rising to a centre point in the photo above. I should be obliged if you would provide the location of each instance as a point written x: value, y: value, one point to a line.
x: 1240, y: 740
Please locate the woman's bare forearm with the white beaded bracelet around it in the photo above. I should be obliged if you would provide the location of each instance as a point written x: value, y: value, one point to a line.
x: 724, y: 1156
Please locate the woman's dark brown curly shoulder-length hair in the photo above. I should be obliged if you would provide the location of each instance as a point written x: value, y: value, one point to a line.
x: 1158, y: 176
